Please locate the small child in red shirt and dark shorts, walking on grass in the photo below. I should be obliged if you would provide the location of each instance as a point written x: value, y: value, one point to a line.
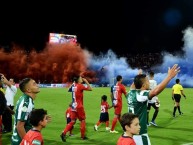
x: 104, y: 115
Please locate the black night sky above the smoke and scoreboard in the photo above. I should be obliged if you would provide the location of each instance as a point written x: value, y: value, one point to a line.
x: 124, y: 26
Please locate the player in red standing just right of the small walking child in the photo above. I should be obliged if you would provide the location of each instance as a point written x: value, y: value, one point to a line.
x: 116, y: 96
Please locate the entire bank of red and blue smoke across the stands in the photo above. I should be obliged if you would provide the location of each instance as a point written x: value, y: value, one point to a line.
x: 60, y: 62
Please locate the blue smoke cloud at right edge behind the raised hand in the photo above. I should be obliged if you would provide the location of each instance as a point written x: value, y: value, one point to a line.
x: 183, y: 59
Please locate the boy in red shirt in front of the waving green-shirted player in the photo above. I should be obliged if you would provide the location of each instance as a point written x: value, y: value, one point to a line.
x: 130, y: 125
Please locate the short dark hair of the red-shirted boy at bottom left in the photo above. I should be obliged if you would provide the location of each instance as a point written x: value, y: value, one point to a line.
x: 36, y: 116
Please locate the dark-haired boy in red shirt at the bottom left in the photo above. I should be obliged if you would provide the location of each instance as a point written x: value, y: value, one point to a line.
x: 38, y: 118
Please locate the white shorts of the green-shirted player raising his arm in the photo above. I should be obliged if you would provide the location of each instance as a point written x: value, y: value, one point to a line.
x: 142, y: 139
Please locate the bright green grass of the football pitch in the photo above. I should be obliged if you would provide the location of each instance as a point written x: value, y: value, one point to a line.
x: 171, y: 131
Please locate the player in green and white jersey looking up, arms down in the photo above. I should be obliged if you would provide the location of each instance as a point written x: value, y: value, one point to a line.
x: 24, y: 106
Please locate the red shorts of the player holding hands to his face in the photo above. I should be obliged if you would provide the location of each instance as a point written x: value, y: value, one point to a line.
x: 79, y: 113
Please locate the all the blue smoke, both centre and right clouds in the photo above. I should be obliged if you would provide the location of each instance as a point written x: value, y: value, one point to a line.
x: 108, y: 65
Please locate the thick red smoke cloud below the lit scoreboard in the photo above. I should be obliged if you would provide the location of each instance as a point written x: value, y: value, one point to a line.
x: 57, y: 63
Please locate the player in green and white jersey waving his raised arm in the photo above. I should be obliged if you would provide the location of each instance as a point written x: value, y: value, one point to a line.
x: 138, y: 97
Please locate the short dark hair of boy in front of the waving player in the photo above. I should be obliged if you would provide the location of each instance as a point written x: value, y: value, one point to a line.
x: 127, y: 119
